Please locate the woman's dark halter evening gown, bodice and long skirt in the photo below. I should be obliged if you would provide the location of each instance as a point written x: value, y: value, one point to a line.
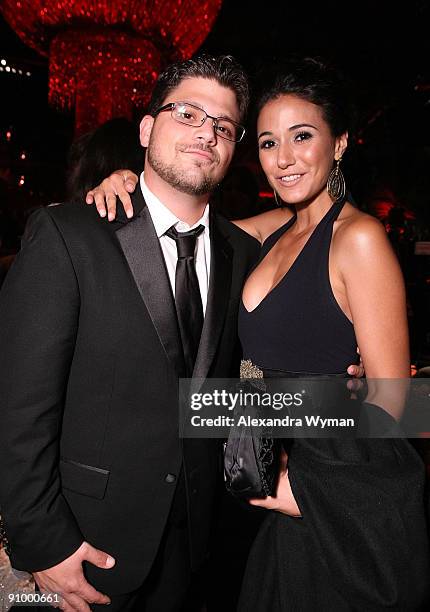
x: 361, y: 543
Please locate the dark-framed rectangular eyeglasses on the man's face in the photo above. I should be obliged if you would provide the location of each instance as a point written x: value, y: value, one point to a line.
x: 188, y: 114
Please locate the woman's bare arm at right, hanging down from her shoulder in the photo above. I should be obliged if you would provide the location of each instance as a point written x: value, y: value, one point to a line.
x: 376, y: 297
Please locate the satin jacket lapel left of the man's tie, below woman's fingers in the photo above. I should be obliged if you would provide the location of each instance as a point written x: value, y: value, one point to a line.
x: 142, y: 250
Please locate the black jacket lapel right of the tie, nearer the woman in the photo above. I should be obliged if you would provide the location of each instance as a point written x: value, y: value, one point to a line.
x: 218, y: 298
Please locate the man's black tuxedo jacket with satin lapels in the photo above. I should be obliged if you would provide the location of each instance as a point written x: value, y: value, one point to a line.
x: 89, y: 367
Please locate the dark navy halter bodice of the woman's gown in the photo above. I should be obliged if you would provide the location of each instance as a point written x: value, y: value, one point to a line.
x: 299, y: 326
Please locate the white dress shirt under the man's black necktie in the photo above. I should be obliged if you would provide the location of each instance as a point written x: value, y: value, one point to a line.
x: 163, y: 219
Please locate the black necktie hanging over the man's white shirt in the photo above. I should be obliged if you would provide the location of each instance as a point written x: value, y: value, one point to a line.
x: 187, y: 294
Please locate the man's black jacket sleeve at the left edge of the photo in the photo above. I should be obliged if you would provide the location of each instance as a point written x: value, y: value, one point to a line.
x: 39, y: 309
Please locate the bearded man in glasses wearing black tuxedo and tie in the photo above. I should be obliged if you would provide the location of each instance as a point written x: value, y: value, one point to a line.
x: 100, y: 498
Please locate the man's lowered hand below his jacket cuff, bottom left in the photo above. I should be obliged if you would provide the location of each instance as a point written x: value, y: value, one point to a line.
x: 67, y: 579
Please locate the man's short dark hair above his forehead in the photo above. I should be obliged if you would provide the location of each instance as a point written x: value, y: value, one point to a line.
x: 223, y: 68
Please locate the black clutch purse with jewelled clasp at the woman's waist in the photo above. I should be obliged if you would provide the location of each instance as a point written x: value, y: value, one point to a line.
x: 251, y: 454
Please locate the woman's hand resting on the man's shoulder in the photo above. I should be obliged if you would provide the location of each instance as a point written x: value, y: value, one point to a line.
x: 120, y: 183
